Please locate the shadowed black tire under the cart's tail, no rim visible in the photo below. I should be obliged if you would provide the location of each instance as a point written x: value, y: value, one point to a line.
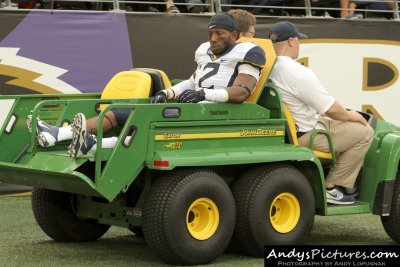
x: 54, y: 212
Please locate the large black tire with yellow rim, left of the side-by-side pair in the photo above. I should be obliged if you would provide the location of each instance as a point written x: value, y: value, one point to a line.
x: 172, y: 229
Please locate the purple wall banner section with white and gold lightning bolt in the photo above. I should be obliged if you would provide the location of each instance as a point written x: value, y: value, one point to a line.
x: 66, y: 52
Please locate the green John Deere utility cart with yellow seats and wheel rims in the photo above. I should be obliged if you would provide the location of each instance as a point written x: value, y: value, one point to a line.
x: 193, y: 177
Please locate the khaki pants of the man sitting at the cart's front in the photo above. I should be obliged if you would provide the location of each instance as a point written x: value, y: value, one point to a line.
x: 351, y: 141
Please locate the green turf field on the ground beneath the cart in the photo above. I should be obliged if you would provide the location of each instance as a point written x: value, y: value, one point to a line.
x: 22, y: 243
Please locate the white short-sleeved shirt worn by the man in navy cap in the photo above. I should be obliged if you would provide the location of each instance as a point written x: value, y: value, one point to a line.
x: 302, y: 92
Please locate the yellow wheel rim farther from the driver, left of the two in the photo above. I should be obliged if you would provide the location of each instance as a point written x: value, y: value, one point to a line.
x: 202, y: 218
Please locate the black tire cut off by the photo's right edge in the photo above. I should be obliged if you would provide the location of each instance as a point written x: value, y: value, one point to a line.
x: 391, y: 223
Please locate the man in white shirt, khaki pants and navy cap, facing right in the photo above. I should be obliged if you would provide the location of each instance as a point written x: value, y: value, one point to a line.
x: 313, y: 107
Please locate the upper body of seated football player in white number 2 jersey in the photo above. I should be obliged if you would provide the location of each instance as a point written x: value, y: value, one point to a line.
x: 227, y: 71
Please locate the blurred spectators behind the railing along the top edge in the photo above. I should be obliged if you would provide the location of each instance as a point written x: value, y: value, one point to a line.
x: 345, y: 9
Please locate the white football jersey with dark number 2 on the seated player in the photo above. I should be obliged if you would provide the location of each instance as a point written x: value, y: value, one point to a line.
x: 219, y: 72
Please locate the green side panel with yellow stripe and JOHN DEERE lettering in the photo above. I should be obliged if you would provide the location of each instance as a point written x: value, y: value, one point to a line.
x: 227, y: 134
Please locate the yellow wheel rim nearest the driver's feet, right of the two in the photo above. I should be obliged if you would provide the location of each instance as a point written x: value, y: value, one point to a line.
x: 284, y: 213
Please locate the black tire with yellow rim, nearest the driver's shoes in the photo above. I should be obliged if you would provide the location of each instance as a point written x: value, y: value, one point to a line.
x: 263, y: 218
